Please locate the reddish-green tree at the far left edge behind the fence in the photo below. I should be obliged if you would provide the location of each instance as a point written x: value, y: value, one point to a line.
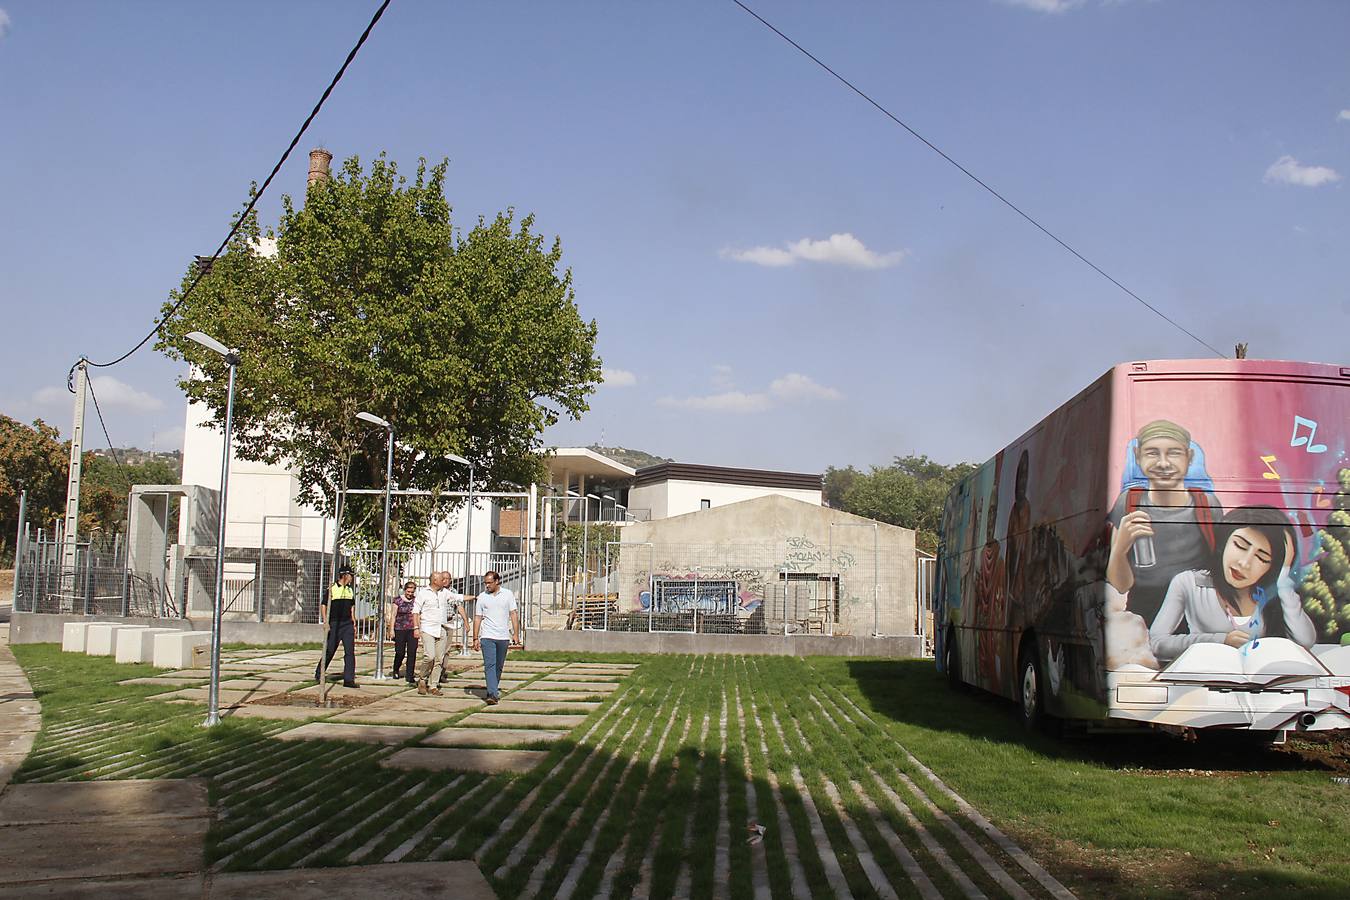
x: 33, y: 459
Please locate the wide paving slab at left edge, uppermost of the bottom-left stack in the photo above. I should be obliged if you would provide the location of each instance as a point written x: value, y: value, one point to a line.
x: 86, y: 802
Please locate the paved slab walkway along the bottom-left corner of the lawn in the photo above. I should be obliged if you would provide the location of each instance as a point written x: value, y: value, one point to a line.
x: 140, y: 839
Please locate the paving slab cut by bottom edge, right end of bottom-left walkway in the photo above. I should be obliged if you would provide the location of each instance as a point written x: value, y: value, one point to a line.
x: 350, y: 883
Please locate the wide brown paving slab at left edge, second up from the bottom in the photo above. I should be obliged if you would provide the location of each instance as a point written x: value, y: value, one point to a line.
x: 78, y: 852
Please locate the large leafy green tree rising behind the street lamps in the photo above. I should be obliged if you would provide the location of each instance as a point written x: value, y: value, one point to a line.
x: 468, y: 342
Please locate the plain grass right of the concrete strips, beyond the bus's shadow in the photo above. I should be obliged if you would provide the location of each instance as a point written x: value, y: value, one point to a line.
x: 1129, y: 817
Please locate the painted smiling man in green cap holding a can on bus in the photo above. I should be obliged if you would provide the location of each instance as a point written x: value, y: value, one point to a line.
x: 1162, y: 530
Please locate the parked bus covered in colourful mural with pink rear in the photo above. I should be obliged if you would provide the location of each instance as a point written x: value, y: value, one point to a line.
x: 1170, y: 549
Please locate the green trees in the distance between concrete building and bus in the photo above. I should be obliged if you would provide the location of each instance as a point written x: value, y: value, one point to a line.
x: 908, y: 493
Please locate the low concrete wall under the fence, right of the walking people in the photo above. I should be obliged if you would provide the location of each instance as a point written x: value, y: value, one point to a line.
x: 740, y: 644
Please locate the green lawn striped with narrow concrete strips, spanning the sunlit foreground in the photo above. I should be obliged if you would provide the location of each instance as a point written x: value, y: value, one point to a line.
x: 842, y: 762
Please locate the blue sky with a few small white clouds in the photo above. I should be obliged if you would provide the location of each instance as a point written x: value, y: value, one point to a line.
x: 782, y: 277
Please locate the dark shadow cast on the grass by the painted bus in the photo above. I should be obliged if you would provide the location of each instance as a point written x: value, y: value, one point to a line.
x: 913, y: 693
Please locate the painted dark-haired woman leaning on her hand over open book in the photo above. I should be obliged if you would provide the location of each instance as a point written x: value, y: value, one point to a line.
x: 1245, y: 593
